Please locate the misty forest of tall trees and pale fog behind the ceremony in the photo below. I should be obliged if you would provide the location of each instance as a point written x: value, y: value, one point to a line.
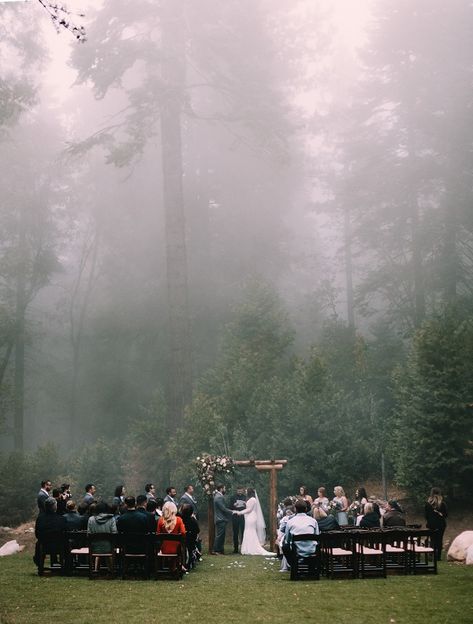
x: 242, y: 228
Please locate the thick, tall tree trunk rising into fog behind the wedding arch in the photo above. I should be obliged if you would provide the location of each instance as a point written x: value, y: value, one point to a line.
x: 179, y: 387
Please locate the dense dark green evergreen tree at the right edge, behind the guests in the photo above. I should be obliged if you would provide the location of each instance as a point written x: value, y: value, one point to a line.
x: 434, y: 418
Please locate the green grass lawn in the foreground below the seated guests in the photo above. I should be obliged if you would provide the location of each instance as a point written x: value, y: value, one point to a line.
x: 234, y: 589
